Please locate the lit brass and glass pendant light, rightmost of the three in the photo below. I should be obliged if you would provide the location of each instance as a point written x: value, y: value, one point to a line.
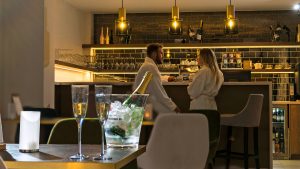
x: 231, y: 23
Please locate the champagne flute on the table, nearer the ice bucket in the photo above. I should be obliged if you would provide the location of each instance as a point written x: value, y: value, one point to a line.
x: 102, y: 97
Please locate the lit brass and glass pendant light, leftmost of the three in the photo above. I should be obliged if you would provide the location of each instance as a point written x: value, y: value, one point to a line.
x: 122, y: 26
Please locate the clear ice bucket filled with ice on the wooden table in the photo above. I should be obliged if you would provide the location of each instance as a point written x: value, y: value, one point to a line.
x: 123, y: 126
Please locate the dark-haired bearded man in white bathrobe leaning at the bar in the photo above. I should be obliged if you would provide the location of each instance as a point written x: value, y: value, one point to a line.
x: 158, y: 96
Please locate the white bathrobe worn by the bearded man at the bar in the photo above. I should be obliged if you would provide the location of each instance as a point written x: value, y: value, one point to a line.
x: 158, y: 96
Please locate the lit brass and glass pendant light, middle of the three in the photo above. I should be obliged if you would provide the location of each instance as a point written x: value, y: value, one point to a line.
x: 175, y: 23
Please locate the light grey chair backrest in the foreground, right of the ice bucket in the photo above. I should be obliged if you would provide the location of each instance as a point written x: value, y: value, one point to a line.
x: 177, y: 141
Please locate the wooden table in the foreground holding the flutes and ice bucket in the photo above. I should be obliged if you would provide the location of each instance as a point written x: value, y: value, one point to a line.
x: 53, y: 156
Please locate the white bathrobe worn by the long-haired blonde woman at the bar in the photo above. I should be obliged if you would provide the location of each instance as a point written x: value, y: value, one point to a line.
x: 204, y: 88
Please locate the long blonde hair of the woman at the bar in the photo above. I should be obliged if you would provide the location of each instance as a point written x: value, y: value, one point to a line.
x: 208, y: 57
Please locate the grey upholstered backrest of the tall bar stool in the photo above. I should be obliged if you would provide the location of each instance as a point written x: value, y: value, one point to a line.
x: 250, y: 115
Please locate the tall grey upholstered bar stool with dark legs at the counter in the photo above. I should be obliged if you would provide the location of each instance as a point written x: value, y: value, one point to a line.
x: 249, y: 117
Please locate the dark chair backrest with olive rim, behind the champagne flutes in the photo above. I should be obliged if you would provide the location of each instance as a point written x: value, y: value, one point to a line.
x: 65, y: 132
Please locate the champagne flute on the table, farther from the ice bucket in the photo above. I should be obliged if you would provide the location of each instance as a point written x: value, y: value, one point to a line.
x: 80, y: 101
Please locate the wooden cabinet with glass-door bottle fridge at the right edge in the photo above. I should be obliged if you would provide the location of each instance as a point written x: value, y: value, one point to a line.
x: 285, y: 129
